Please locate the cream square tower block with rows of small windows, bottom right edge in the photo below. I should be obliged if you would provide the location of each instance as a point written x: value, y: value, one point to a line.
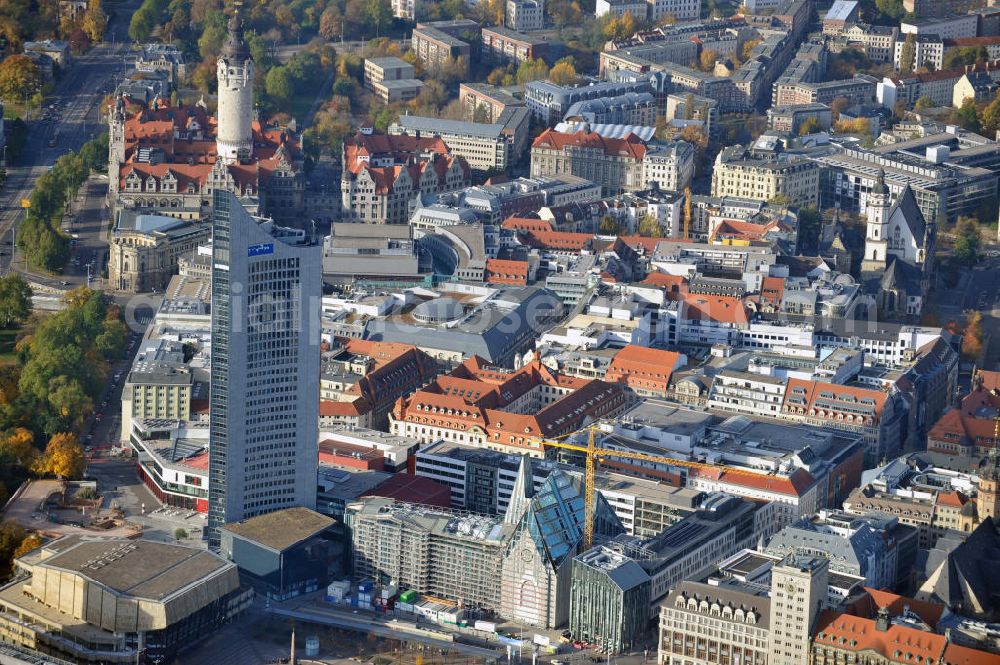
x: 799, y: 586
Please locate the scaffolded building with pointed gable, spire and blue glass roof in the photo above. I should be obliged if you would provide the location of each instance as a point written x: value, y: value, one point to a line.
x: 516, y: 566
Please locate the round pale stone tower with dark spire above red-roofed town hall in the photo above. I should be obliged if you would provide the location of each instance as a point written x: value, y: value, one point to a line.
x: 235, y: 71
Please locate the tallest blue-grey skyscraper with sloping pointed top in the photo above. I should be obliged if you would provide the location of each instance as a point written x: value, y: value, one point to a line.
x: 264, y: 420
